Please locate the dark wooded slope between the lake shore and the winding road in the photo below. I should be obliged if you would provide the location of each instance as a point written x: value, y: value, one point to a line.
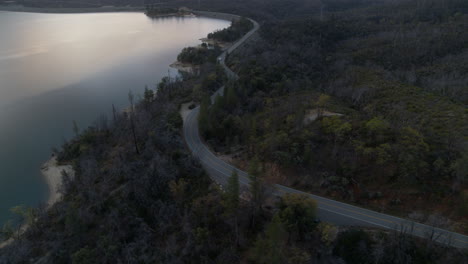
x: 138, y: 197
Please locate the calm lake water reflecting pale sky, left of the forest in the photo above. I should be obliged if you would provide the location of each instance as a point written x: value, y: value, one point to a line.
x: 56, y: 68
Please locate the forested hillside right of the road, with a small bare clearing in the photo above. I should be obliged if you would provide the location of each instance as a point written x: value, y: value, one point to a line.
x: 366, y: 105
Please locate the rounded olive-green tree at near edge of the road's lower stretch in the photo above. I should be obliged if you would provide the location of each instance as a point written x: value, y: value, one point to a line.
x: 297, y: 213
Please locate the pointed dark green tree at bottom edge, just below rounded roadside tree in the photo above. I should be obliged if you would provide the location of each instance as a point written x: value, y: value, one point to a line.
x: 270, y: 248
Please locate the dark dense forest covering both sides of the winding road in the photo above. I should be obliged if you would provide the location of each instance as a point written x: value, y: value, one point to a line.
x: 363, y: 101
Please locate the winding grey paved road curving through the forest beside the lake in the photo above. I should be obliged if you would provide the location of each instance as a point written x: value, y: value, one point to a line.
x: 328, y: 210
